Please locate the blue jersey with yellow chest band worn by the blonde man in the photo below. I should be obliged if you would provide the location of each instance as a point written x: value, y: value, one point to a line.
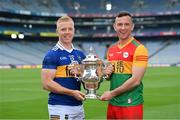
x: 59, y: 58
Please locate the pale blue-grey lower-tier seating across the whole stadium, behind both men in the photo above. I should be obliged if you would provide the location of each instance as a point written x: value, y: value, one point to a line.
x: 32, y: 52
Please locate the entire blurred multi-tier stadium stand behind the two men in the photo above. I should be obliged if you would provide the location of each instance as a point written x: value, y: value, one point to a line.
x: 157, y: 28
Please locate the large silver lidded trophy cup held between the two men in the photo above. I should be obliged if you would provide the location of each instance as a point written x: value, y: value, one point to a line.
x: 91, y: 74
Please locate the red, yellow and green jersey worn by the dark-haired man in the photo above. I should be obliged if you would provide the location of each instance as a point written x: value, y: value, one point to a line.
x: 133, y: 53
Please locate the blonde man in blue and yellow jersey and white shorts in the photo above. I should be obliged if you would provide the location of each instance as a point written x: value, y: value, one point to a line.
x: 65, y: 97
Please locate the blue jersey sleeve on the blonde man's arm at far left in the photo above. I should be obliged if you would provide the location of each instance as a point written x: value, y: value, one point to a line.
x: 50, y: 61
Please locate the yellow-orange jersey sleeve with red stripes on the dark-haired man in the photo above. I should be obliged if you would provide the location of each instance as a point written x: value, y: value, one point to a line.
x: 140, y: 57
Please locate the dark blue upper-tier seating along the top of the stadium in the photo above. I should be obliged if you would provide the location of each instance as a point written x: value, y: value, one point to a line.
x: 83, y: 7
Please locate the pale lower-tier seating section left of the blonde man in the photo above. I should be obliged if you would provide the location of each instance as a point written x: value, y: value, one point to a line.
x: 14, y: 52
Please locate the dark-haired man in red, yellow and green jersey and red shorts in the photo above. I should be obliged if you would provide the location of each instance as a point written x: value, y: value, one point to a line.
x: 129, y: 58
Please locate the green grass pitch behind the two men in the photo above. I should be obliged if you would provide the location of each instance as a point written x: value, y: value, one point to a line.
x: 21, y: 95
